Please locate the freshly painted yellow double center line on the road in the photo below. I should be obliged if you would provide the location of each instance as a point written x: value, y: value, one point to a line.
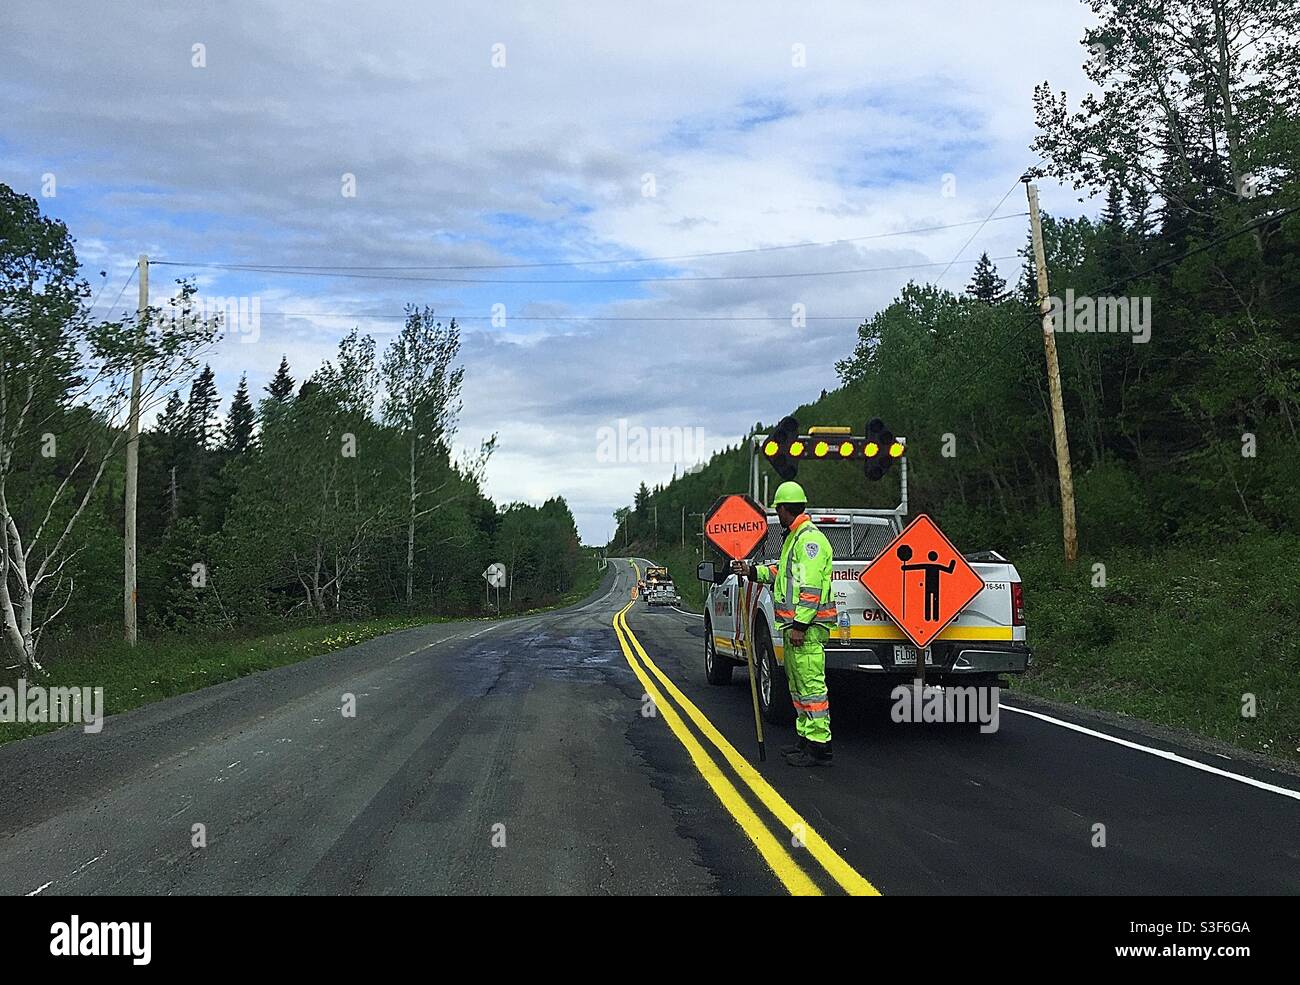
x: 773, y: 849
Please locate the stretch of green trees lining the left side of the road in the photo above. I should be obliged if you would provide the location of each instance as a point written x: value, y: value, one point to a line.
x: 332, y: 496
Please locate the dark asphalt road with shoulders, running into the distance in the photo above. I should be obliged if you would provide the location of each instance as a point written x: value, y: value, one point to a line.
x: 526, y: 757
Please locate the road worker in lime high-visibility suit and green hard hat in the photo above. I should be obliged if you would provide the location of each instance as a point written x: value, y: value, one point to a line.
x: 804, y: 606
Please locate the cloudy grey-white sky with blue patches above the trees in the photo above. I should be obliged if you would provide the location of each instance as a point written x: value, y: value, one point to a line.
x: 538, y: 162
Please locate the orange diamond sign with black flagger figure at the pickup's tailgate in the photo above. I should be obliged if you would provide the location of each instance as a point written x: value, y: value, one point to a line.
x: 922, y: 582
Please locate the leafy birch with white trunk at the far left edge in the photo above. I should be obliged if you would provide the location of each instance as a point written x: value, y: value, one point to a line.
x: 64, y: 388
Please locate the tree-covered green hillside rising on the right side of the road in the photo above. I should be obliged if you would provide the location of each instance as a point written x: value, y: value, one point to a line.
x: 1186, y: 449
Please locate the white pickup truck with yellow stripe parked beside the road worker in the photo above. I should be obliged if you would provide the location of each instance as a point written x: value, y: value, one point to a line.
x: 986, y: 640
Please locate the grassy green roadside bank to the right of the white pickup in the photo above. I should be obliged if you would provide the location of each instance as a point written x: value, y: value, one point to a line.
x: 1177, y: 636
